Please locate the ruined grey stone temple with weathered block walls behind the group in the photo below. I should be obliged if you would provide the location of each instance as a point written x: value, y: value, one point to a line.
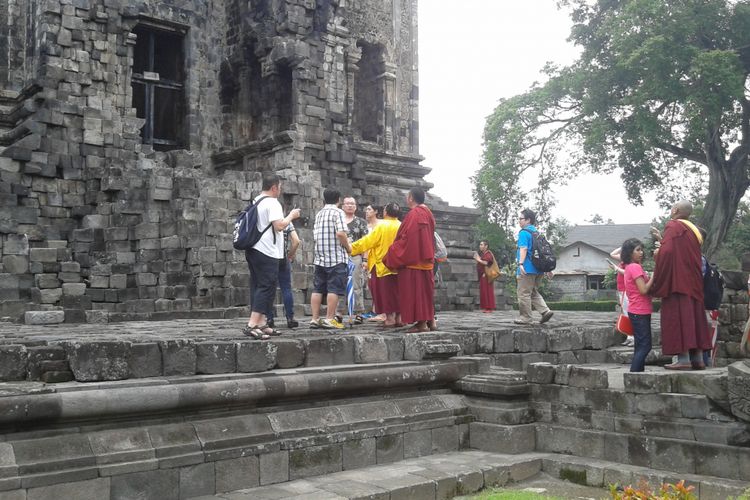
x: 132, y: 132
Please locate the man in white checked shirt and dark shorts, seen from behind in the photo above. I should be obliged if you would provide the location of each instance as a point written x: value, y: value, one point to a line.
x: 330, y: 260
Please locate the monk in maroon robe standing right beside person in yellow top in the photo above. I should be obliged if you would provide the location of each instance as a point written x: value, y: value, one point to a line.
x: 413, y: 254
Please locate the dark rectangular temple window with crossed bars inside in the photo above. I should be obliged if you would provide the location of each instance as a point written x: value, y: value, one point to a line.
x: 158, y: 86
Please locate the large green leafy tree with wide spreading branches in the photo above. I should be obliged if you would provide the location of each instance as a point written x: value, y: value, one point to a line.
x: 658, y: 93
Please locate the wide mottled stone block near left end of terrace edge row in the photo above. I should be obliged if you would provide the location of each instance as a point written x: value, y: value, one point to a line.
x: 98, y: 360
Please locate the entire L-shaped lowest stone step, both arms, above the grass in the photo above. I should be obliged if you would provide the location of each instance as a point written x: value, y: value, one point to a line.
x: 463, y: 472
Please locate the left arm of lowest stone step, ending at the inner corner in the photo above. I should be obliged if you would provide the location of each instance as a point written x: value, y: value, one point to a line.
x: 432, y: 477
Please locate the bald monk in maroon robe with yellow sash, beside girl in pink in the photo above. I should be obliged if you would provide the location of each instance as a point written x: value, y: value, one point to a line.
x: 678, y: 280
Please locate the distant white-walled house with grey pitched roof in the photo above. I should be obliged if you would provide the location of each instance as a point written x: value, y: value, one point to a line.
x: 582, y: 263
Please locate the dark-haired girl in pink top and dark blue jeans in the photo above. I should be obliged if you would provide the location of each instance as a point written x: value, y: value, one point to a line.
x: 637, y: 284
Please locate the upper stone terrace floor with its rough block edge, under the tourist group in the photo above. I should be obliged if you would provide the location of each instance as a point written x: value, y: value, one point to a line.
x: 117, y: 351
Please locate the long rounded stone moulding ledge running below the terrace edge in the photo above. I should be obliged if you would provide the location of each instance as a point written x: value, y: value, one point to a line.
x: 115, y: 400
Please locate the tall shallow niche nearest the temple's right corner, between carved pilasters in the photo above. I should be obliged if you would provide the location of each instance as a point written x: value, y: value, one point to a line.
x: 369, y: 100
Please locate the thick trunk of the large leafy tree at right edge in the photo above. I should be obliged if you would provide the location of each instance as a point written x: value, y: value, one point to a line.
x: 728, y: 182
